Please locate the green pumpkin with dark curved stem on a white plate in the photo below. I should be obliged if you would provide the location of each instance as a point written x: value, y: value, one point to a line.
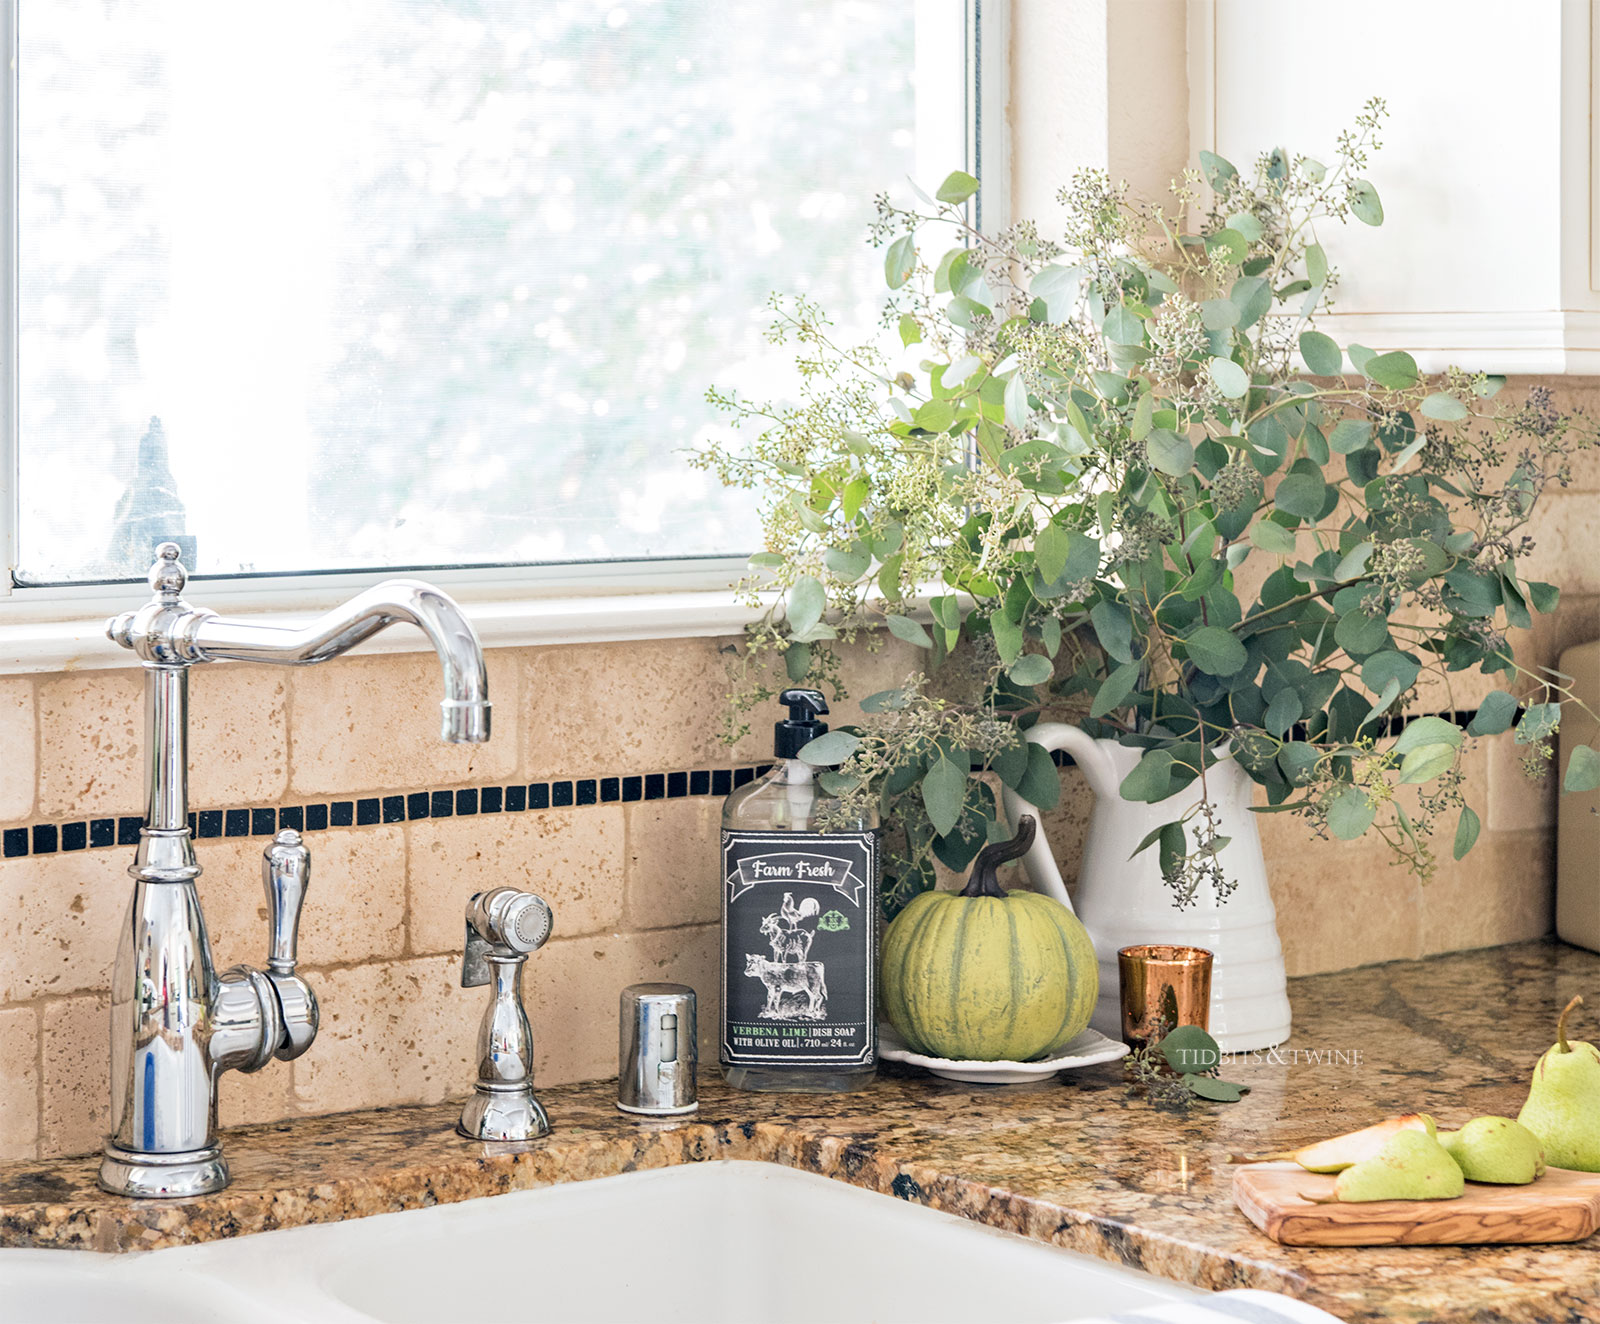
x: 985, y: 975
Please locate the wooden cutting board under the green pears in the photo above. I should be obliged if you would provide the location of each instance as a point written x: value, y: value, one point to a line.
x: 1561, y: 1206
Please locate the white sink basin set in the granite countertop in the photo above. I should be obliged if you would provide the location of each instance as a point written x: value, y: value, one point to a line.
x: 748, y: 1243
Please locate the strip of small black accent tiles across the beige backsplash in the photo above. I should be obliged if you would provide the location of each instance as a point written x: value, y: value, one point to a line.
x: 47, y: 839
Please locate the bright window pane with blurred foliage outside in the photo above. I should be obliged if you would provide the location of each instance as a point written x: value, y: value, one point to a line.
x: 414, y: 284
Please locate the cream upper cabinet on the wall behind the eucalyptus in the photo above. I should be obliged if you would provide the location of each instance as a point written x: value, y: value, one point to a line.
x: 1489, y: 257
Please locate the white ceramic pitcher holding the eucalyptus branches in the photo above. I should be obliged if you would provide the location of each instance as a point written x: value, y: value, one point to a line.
x: 1126, y: 901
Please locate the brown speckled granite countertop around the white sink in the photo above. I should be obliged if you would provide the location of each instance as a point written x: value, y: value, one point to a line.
x: 1073, y: 1162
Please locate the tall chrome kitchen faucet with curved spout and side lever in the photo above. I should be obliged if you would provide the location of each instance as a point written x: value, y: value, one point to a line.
x: 177, y: 1024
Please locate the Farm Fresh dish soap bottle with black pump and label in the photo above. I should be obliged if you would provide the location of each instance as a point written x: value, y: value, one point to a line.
x: 799, y: 925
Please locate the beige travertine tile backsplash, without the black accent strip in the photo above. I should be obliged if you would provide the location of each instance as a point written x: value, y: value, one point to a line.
x: 633, y: 885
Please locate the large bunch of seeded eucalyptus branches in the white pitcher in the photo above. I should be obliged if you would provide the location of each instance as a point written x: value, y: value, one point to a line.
x: 1122, y: 477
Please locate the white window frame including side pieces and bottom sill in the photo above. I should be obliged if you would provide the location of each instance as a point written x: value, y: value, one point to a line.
x: 57, y: 628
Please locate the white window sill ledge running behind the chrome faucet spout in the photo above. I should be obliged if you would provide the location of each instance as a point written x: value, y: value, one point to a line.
x: 65, y: 631
